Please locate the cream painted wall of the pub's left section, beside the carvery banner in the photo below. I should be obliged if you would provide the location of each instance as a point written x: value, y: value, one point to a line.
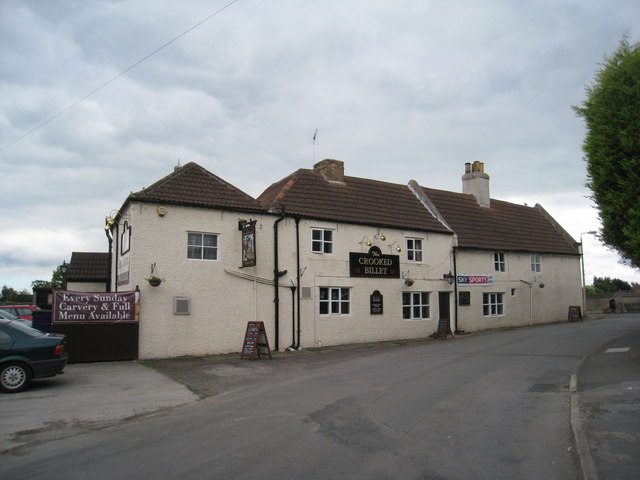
x: 221, y: 303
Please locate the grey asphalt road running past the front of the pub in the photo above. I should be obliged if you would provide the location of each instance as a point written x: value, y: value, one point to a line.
x: 492, y: 405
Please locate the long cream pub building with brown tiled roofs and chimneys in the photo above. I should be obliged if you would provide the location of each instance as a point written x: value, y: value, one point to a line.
x: 354, y: 260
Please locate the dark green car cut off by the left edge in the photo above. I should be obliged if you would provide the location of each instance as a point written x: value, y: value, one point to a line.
x: 27, y: 353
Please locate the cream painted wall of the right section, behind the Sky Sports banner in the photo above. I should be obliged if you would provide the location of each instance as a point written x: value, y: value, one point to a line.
x: 524, y: 303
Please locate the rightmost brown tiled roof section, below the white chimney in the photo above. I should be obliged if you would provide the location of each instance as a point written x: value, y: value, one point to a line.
x: 501, y: 226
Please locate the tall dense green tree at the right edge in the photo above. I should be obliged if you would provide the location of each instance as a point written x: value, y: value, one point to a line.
x: 612, y: 148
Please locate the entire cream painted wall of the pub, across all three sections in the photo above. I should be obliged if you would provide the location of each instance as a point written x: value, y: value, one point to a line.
x: 222, y: 302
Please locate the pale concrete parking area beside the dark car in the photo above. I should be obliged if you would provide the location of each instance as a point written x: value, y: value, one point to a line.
x: 87, y: 396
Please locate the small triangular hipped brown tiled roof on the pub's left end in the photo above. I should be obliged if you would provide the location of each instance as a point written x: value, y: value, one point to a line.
x: 192, y: 185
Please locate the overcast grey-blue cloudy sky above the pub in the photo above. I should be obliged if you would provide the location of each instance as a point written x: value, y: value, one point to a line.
x: 397, y: 89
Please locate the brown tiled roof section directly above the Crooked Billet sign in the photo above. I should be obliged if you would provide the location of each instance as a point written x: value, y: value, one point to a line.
x: 306, y: 193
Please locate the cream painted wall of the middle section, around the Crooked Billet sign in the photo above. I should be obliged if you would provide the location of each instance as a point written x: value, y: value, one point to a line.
x: 332, y: 270
